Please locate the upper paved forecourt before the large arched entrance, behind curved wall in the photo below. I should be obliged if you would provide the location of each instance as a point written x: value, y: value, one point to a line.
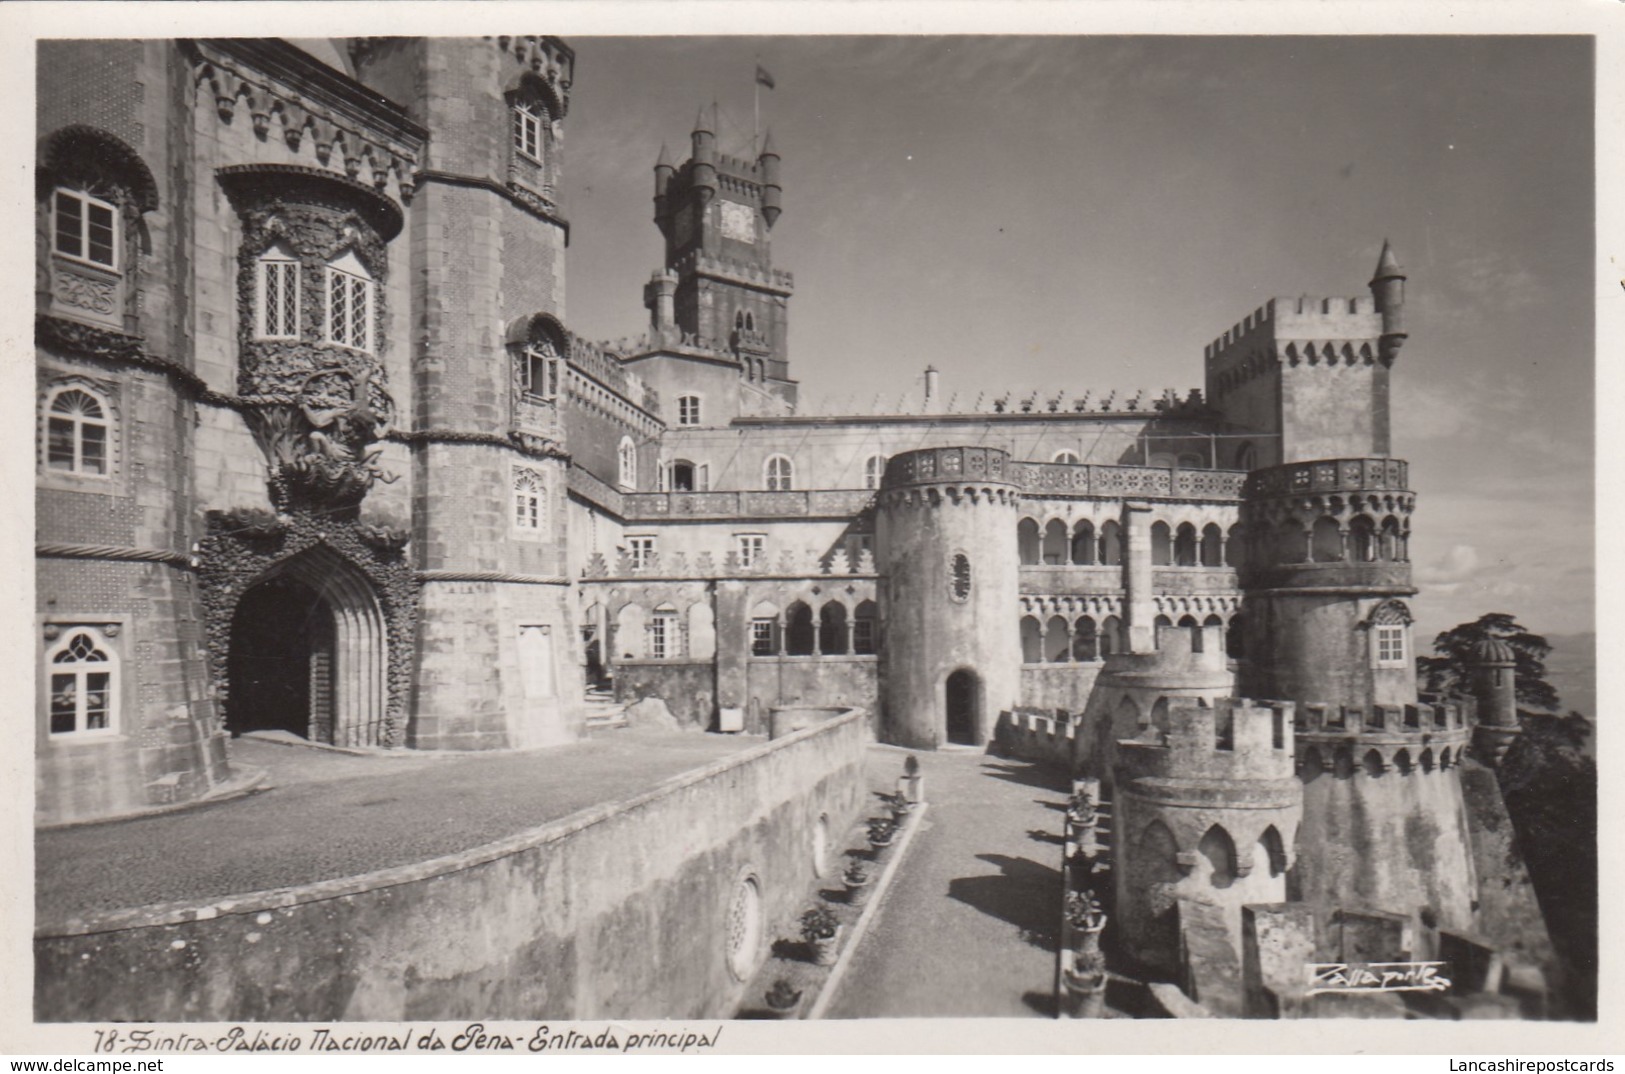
x: 331, y: 815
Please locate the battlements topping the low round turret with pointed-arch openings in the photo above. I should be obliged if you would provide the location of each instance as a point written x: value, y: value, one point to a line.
x: 1233, y: 738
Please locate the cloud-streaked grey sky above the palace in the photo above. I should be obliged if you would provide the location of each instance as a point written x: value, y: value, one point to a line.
x: 1090, y: 212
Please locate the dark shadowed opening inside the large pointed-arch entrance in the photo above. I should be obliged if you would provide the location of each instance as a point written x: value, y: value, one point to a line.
x: 282, y: 662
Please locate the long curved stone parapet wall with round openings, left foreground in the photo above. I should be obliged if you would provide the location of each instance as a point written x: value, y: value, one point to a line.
x: 597, y: 916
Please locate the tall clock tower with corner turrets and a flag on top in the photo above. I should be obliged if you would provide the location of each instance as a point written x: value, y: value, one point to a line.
x: 717, y: 214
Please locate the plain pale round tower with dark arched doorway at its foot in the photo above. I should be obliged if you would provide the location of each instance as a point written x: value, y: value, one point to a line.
x: 947, y: 547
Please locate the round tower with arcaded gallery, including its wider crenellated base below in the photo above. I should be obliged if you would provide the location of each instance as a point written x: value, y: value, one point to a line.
x: 1327, y: 628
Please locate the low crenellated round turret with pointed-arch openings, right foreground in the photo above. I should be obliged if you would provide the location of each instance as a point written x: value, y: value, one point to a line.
x: 1207, y: 815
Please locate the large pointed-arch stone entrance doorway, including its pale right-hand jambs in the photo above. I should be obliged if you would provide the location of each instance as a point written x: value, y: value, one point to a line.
x: 310, y: 656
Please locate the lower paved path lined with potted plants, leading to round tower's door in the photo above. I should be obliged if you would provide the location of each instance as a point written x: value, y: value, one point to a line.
x: 969, y: 925
